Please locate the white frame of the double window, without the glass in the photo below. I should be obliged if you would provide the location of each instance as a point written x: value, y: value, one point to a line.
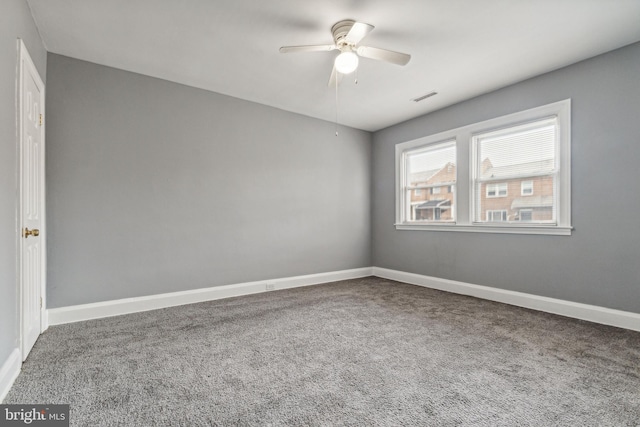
x: 463, y: 194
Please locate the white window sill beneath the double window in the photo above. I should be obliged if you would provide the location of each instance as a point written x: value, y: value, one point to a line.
x: 502, y: 229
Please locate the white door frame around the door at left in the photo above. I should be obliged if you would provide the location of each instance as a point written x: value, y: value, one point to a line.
x: 25, y: 63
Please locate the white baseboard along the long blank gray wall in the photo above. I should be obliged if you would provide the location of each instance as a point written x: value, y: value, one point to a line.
x: 58, y: 316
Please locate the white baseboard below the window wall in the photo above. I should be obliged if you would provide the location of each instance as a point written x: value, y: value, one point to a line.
x: 592, y: 313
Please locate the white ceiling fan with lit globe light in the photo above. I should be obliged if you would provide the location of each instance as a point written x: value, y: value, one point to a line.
x: 346, y: 36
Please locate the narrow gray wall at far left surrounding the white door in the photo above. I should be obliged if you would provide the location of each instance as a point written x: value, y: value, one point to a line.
x: 15, y: 22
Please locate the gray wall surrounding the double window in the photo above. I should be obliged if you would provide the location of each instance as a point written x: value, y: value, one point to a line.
x: 599, y: 263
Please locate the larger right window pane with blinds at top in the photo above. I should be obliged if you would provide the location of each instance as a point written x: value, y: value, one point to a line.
x: 516, y: 171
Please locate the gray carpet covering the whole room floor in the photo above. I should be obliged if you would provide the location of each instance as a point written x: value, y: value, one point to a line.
x: 358, y: 352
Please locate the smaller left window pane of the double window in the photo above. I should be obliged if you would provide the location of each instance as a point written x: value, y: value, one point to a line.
x: 431, y: 167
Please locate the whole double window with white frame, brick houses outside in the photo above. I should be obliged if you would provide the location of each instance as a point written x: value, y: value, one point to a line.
x: 502, y: 161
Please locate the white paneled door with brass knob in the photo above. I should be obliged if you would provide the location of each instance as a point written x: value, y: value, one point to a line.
x: 32, y: 247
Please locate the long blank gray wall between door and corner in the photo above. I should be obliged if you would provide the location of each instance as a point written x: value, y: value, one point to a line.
x: 157, y: 187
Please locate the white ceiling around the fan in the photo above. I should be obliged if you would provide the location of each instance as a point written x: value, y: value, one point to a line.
x: 459, y: 48
